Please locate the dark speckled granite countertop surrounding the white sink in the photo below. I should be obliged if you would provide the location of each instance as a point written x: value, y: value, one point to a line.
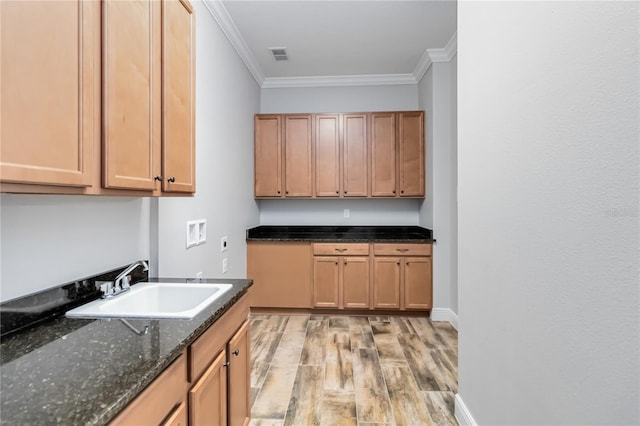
x: 85, y: 371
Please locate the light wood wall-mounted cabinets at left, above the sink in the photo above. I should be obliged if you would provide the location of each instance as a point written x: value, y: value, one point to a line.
x: 122, y: 124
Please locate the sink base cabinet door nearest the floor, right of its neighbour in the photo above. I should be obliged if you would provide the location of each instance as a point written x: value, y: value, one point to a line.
x: 239, y: 376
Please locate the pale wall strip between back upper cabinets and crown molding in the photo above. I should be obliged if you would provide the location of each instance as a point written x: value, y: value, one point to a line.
x: 339, y: 99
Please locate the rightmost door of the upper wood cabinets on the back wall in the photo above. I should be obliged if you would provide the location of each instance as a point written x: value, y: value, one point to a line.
x: 411, y: 153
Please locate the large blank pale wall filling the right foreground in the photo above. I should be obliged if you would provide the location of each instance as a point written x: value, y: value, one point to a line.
x: 548, y: 212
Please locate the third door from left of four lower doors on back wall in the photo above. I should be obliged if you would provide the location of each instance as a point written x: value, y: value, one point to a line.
x: 386, y: 282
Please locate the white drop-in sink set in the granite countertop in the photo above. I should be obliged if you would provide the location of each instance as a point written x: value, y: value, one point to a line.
x: 154, y: 300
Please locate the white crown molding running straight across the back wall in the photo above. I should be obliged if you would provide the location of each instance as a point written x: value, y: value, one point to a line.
x: 339, y: 80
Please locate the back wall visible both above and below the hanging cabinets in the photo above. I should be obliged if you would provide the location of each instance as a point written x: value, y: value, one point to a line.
x: 339, y: 99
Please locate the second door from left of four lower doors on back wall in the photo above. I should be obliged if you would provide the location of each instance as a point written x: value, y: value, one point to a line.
x: 355, y: 282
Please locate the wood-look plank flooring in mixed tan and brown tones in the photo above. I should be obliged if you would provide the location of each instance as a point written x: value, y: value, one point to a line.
x: 349, y: 370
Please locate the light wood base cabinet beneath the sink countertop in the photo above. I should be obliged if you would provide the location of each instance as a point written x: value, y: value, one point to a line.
x: 209, y: 383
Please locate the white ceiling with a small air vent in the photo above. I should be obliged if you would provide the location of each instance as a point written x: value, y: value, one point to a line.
x: 332, y: 40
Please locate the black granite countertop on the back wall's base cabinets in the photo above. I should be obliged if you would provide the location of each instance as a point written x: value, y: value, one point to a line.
x: 354, y: 234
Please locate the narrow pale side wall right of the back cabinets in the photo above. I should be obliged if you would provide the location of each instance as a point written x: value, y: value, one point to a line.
x: 436, y: 93
